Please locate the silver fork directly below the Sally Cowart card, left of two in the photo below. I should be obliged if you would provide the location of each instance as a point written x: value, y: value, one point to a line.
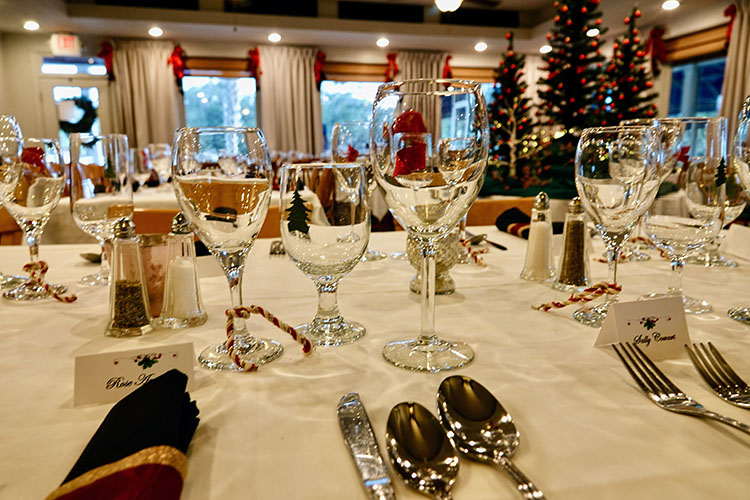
x: 662, y: 391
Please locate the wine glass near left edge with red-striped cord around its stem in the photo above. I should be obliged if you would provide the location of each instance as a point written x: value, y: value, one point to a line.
x: 32, y: 184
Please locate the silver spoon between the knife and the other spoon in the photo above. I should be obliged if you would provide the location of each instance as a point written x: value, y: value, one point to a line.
x: 421, y: 451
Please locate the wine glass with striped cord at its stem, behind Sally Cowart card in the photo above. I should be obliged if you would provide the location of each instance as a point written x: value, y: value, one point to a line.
x: 616, y: 174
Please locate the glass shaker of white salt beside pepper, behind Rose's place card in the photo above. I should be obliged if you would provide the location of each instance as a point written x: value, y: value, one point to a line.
x: 182, y: 299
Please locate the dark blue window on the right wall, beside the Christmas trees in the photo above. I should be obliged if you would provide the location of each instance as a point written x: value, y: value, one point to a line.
x: 696, y: 88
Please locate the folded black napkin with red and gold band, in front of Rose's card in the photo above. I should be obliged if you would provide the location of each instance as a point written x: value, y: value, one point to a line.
x: 138, y: 451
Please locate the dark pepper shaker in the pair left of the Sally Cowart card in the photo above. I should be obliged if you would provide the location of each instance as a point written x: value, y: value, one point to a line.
x: 574, y: 263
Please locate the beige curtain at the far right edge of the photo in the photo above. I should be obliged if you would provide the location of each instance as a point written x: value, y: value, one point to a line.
x: 736, y: 85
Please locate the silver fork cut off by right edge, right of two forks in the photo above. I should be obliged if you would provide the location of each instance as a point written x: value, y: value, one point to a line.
x: 719, y: 375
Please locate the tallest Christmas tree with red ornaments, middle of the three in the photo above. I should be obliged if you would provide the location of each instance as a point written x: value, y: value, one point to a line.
x: 575, y: 96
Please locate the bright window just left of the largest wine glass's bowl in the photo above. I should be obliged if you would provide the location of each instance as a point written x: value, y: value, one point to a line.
x: 345, y: 102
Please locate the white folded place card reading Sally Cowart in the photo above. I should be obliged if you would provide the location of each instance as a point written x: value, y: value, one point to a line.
x: 657, y: 326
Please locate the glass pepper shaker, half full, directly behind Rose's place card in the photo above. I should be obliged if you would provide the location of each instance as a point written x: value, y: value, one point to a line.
x: 129, y: 312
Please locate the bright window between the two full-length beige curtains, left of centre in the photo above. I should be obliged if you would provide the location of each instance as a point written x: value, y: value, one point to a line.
x: 213, y: 101
